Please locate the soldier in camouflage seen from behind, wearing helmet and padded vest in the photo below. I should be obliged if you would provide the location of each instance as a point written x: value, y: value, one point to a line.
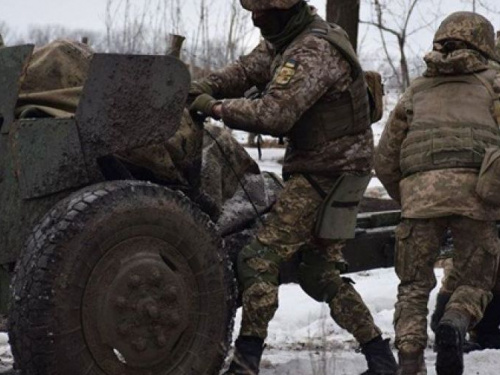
x: 428, y: 159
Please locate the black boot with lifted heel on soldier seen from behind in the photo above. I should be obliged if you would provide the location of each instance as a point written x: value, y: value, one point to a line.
x: 450, y: 337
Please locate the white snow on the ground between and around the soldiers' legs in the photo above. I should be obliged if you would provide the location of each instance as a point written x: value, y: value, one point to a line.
x: 304, y: 340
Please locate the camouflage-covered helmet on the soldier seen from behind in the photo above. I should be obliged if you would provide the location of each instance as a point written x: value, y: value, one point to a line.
x: 471, y: 28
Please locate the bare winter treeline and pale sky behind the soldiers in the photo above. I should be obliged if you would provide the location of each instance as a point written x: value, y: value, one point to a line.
x: 386, y: 41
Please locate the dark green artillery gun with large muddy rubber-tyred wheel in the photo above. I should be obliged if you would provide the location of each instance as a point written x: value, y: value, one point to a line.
x: 109, y: 275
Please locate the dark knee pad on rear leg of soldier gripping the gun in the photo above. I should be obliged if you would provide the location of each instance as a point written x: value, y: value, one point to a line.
x: 320, y: 280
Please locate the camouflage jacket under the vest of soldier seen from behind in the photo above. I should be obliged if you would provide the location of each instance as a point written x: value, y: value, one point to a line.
x: 434, y: 193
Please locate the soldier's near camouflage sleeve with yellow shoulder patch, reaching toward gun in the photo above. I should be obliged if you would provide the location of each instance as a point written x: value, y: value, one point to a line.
x: 308, y: 71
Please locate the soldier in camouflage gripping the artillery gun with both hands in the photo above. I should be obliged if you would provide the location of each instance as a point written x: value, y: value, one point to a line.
x: 314, y: 93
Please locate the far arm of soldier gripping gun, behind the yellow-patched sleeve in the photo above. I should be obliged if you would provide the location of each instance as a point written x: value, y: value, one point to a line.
x: 236, y: 78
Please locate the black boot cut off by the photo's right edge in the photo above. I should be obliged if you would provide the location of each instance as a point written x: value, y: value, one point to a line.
x: 487, y: 331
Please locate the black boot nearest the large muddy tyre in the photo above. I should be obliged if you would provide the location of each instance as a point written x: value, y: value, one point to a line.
x: 246, y: 357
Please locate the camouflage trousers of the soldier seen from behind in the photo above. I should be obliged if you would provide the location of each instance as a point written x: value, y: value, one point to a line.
x: 470, y: 282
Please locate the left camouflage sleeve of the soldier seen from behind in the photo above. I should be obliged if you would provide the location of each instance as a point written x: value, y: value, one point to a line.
x: 387, y: 153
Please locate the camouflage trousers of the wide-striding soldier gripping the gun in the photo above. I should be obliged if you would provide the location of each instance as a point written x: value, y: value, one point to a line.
x: 288, y: 230
